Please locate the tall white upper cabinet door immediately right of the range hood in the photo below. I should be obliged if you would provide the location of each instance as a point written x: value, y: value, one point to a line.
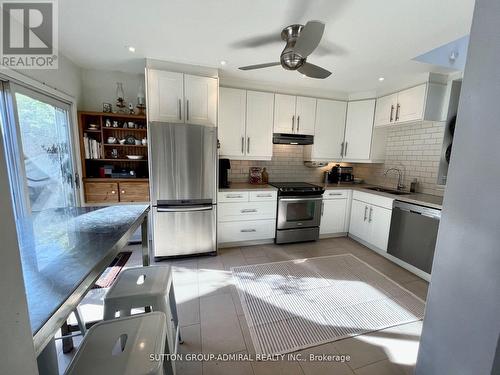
x: 329, y: 130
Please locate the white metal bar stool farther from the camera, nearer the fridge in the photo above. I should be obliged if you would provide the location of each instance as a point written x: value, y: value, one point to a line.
x: 145, y: 287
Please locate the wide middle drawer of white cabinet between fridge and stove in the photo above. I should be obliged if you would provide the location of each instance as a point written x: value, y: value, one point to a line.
x: 246, y: 211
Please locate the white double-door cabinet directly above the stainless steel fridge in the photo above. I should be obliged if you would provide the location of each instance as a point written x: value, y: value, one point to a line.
x: 181, y: 98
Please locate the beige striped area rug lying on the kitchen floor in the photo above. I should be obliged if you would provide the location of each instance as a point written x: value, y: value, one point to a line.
x: 297, y: 304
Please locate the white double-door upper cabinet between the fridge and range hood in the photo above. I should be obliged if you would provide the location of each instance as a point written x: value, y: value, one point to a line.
x: 246, y: 124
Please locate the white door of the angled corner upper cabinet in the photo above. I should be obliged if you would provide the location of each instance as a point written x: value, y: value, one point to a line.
x: 358, y: 129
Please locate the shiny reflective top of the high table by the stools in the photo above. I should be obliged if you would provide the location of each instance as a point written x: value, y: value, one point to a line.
x: 60, y: 247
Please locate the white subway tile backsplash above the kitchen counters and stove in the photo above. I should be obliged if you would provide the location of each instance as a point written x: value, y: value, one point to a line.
x: 414, y: 148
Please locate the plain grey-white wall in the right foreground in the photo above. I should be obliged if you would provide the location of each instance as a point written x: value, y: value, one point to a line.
x: 461, y: 331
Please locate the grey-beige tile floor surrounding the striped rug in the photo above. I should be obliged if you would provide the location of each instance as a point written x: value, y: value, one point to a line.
x: 212, y: 319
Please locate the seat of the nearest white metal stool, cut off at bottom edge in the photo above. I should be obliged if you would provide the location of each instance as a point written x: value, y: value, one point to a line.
x: 122, y: 347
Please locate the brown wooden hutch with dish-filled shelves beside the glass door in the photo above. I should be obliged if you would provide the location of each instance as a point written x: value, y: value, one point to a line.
x: 99, y: 189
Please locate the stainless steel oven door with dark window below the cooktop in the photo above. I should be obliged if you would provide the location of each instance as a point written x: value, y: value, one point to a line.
x: 299, y: 212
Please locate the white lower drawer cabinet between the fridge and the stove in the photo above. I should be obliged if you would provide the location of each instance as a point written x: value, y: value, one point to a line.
x: 246, y: 216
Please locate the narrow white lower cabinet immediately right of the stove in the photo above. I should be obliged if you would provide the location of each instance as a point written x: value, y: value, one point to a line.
x: 334, y: 214
